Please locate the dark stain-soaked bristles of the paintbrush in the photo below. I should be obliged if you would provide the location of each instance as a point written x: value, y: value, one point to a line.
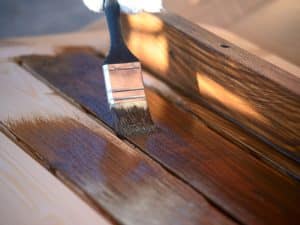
x: 132, y: 121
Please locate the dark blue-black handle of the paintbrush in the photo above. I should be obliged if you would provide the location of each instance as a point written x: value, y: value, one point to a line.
x: 118, y: 53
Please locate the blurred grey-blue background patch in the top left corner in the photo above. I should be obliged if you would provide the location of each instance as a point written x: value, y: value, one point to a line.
x: 36, y: 17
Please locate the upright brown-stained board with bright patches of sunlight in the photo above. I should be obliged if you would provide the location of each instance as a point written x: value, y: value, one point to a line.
x: 258, y: 96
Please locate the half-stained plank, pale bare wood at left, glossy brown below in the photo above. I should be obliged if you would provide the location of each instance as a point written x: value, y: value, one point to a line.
x: 104, y: 170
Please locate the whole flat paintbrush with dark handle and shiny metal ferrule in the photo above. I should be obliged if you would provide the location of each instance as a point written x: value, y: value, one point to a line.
x: 123, y: 81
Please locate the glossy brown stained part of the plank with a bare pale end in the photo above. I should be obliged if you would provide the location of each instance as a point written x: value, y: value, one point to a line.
x: 130, y: 187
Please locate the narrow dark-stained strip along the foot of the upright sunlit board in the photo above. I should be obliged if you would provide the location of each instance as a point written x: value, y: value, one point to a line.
x: 228, y: 130
